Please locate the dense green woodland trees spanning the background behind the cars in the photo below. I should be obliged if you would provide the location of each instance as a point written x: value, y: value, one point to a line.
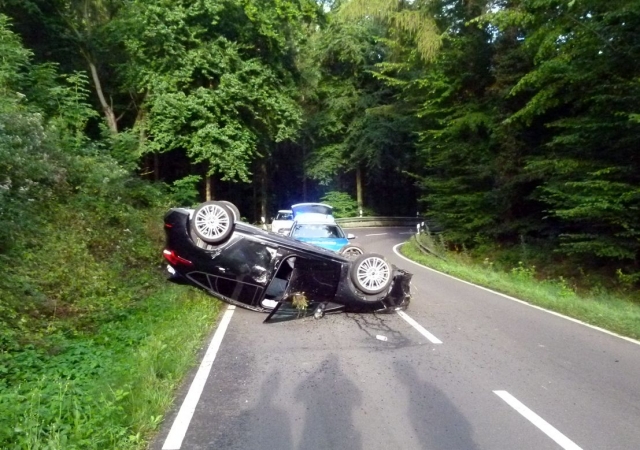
x: 506, y: 122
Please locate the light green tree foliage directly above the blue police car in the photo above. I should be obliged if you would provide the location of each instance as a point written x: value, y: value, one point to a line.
x: 353, y: 122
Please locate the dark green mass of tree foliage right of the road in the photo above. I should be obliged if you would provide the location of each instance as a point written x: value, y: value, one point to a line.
x: 528, y: 129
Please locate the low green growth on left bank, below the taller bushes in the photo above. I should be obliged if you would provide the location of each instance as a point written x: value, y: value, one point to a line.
x: 93, y: 340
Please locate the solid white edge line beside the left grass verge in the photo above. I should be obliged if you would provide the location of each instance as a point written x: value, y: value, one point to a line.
x: 182, y: 420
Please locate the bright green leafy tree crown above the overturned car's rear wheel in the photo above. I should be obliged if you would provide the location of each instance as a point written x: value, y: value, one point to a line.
x: 209, y: 89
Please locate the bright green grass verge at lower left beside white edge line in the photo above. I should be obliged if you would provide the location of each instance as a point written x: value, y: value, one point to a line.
x: 110, y: 388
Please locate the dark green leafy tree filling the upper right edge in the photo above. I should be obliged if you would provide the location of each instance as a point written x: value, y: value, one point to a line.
x: 585, y: 88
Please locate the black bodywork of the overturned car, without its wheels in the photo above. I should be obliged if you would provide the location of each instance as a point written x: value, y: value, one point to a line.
x: 257, y: 269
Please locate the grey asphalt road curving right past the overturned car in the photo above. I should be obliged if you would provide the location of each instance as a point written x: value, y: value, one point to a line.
x: 505, y: 376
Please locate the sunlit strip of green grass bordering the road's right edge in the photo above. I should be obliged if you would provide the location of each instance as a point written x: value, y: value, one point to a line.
x: 600, y: 307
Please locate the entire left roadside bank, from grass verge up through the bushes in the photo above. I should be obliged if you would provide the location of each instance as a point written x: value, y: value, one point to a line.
x: 93, y: 340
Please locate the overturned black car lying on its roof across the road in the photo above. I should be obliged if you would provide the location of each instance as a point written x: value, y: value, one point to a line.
x: 209, y: 248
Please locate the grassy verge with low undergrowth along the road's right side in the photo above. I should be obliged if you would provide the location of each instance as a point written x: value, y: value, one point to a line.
x: 601, y: 302
